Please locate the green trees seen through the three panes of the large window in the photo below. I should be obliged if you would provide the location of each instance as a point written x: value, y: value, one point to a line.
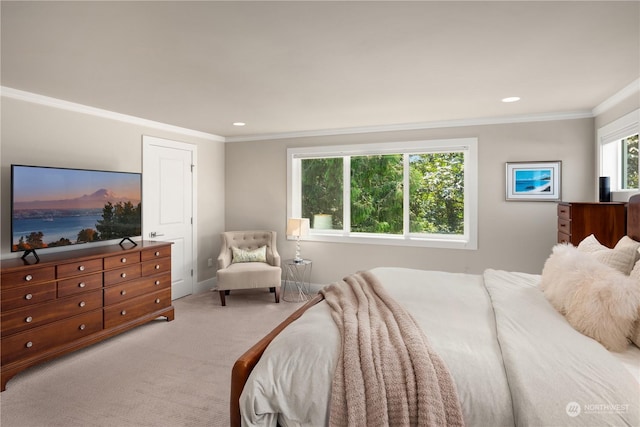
x: 436, y: 192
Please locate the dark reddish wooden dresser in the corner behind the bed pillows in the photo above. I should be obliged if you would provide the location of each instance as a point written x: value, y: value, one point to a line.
x: 577, y: 220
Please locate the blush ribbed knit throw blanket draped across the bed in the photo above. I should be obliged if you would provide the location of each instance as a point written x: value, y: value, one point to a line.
x: 386, y: 374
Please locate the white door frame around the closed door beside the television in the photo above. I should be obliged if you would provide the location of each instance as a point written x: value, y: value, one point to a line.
x: 147, y: 141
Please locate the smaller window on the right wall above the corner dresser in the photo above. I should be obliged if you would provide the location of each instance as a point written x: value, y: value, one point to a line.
x: 618, y: 152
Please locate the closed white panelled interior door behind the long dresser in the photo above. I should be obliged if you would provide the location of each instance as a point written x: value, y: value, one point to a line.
x: 168, y: 205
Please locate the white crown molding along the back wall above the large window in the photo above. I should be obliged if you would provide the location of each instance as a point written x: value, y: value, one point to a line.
x: 417, y: 126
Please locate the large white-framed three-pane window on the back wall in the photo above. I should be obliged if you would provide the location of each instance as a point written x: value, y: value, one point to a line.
x: 414, y: 193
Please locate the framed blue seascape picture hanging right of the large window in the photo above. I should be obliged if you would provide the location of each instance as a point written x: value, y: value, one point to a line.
x: 534, y: 181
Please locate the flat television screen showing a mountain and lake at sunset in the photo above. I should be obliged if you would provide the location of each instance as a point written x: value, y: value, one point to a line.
x: 53, y: 207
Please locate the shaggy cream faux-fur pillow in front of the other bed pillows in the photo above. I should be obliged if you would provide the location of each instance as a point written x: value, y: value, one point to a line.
x: 597, y: 300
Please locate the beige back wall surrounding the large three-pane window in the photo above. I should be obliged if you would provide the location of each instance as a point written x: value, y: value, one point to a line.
x: 512, y: 235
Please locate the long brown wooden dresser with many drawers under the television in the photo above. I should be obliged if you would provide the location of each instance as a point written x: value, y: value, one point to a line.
x: 69, y: 300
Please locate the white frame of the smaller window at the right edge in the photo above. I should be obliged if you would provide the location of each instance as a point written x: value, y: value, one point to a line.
x: 614, y: 133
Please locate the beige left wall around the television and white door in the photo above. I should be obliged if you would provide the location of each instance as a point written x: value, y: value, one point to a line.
x: 40, y: 135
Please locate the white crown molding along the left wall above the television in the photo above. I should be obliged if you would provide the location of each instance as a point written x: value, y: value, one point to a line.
x: 84, y: 109
